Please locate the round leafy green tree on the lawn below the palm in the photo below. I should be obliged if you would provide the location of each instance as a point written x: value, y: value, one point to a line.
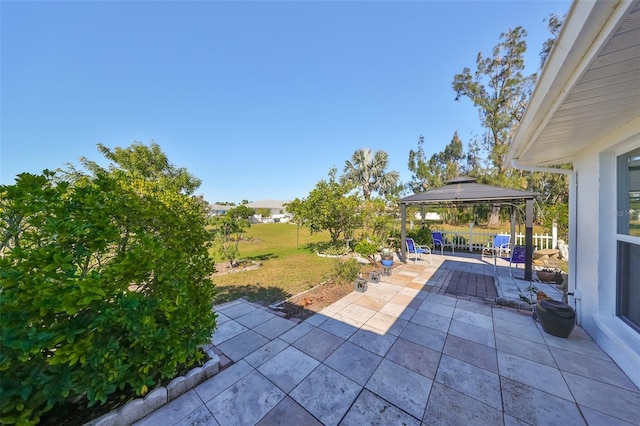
x: 329, y: 207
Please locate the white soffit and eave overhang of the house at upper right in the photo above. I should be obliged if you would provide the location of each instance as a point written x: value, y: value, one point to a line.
x: 589, y: 86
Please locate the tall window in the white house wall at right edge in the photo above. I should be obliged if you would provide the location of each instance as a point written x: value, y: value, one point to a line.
x: 628, y: 250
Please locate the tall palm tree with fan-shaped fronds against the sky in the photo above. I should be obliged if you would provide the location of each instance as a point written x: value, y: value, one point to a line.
x: 367, y: 170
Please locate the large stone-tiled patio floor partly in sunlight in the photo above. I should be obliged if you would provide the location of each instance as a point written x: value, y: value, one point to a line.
x: 408, y: 352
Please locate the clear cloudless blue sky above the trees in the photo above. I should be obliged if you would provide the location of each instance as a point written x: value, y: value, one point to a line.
x: 257, y: 99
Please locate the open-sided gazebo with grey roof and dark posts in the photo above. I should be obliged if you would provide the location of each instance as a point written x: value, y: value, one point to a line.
x: 465, y: 190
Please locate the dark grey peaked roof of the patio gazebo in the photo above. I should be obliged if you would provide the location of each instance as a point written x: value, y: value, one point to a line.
x: 464, y: 189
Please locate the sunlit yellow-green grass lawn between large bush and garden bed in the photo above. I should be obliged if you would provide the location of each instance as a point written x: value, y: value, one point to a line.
x: 289, y: 266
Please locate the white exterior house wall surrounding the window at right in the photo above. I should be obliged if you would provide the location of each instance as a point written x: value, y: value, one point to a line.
x: 595, y: 292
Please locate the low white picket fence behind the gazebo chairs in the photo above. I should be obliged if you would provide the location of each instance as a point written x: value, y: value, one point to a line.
x: 476, y: 240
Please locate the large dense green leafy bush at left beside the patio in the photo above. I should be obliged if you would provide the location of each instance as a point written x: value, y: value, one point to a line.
x: 104, y: 286
